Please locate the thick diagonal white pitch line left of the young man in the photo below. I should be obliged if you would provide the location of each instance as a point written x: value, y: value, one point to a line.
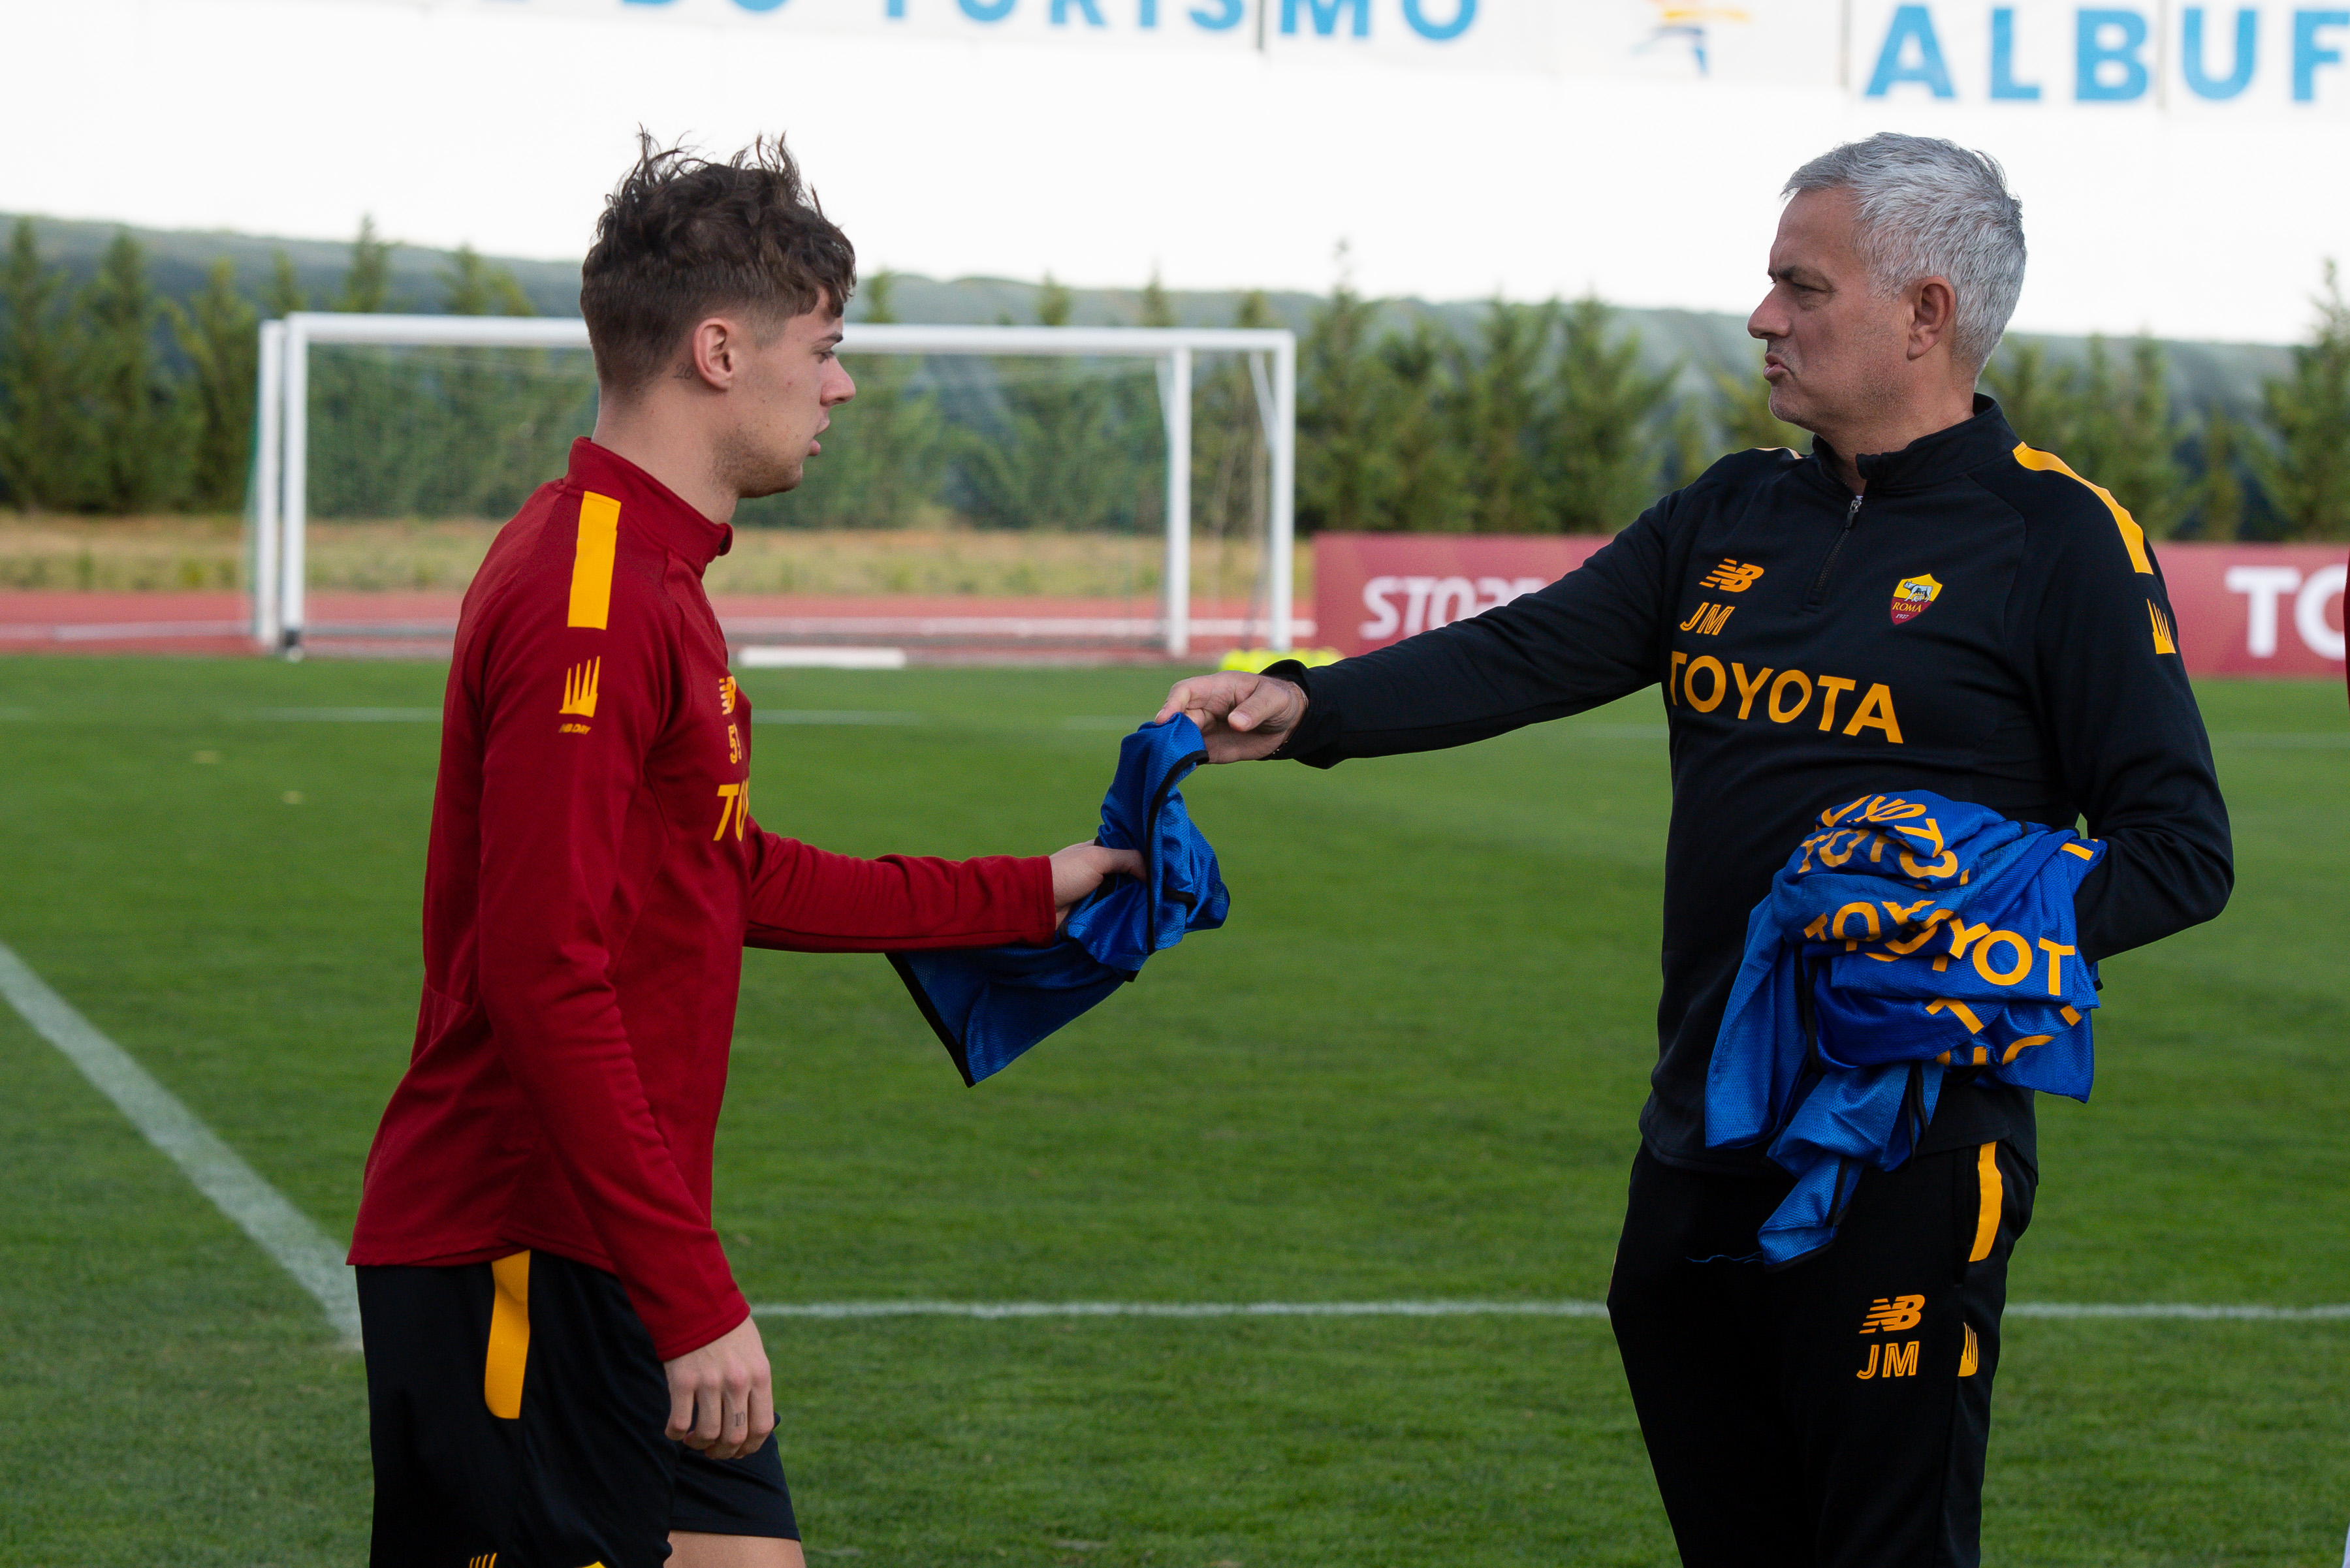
x: 217, y: 1172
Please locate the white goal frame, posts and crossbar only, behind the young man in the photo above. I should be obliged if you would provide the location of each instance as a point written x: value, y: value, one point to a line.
x: 281, y: 474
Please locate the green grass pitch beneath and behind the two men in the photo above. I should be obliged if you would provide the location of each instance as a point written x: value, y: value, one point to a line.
x: 1409, y: 1068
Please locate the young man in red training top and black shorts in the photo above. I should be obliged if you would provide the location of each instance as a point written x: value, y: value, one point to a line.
x: 560, y: 1369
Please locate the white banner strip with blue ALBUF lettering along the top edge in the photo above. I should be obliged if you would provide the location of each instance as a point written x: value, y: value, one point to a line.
x: 2017, y: 53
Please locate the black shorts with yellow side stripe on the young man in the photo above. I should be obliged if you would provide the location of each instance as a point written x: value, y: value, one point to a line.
x: 516, y: 1412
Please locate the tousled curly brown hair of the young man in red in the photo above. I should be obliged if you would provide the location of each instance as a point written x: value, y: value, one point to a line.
x: 685, y: 236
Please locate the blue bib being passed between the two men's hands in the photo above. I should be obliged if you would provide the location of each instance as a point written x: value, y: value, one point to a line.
x: 991, y: 1005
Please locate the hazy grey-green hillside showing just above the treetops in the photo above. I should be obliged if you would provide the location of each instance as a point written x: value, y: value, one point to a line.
x: 1698, y: 340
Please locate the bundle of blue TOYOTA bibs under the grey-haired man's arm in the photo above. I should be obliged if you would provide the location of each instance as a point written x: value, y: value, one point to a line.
x: 1905, y: 939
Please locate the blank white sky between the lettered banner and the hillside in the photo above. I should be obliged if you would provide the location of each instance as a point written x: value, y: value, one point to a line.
x: 1106, y: 163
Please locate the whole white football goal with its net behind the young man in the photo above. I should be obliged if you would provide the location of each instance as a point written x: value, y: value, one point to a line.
x: 1052, y: 490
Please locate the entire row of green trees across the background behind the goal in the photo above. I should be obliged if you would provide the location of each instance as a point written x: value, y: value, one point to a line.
x: 1540, y: 420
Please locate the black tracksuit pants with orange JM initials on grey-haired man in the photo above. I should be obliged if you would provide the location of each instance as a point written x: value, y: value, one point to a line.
x: 1832, y: 1414
